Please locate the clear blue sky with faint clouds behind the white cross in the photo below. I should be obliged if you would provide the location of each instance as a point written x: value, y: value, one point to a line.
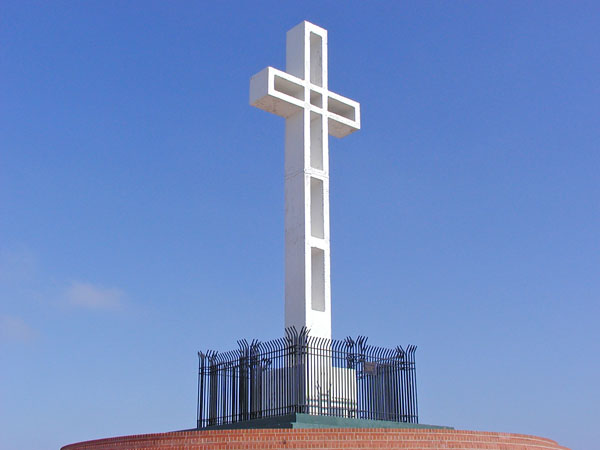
x: 141, y: 206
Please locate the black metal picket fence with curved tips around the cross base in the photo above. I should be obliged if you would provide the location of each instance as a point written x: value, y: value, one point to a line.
x: 300, y: 373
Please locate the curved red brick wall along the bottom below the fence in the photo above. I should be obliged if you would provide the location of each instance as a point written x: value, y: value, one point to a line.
x: 331, y: 438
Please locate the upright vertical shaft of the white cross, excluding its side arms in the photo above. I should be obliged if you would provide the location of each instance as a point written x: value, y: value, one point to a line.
x: 307, y: 250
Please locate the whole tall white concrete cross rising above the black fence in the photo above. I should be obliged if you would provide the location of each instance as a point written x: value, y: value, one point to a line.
x: 312, y: 112
